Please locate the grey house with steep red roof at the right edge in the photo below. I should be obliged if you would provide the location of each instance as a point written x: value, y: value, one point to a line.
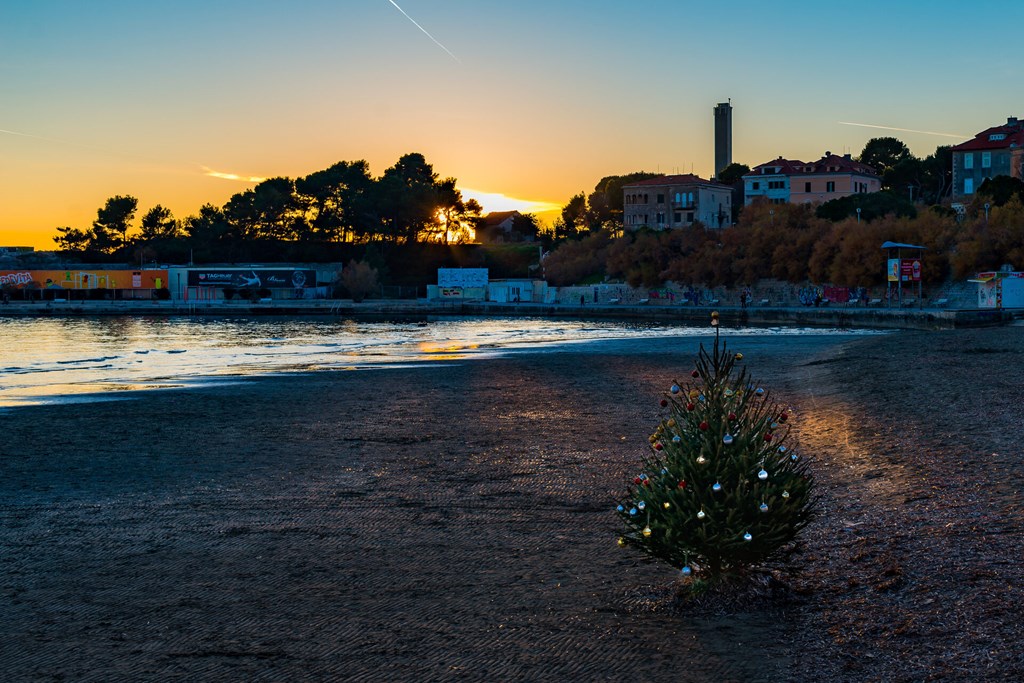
x: 998, y: 151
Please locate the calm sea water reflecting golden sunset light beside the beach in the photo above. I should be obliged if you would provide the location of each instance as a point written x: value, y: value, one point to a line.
x: 46, y: 361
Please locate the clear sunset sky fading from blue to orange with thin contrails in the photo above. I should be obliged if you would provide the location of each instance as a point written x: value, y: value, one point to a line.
x: 190, y: 102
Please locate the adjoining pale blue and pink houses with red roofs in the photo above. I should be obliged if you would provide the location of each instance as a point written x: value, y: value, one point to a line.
x: 832, y: 178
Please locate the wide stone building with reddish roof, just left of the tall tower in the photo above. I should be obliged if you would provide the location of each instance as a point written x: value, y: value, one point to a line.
x: 676, y: 201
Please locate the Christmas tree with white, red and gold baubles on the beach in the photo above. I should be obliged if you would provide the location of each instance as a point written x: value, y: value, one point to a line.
x: 722, y: 491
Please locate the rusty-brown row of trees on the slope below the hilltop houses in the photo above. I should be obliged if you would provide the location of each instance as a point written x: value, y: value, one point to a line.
x: 792, y: 243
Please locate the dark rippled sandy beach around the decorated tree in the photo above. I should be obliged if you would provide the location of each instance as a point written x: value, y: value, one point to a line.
x: 456, y: 523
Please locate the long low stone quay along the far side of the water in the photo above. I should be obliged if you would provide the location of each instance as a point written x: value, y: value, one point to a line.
x: 837, y: 317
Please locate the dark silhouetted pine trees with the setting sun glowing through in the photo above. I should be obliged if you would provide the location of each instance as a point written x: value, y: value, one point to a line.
x: 408, y: 204
